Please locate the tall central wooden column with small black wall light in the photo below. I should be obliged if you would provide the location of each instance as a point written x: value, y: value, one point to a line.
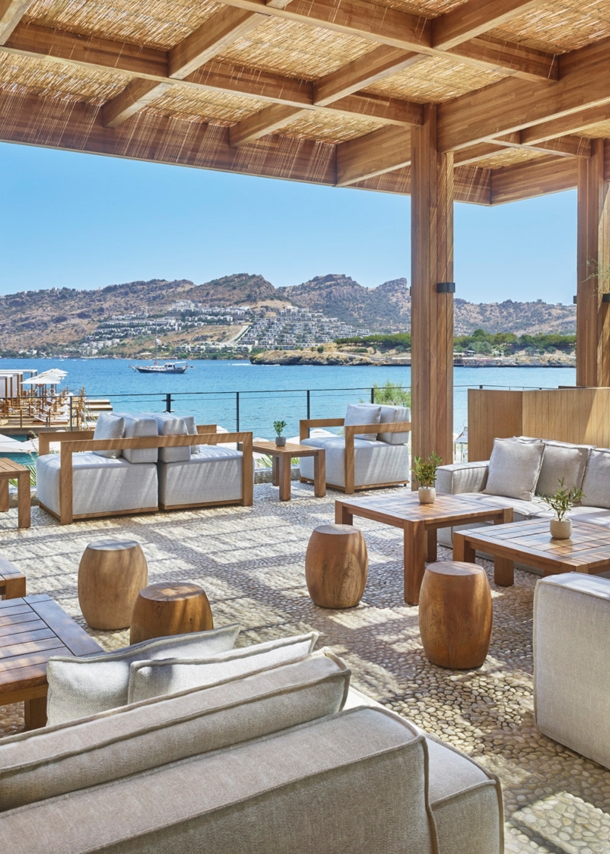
x: 431, y: 311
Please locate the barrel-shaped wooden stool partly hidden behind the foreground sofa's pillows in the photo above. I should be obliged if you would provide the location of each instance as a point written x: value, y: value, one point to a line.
x: 170, y: 609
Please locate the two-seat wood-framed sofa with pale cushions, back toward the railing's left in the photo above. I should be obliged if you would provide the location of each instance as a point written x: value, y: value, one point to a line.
x: 140, y: 463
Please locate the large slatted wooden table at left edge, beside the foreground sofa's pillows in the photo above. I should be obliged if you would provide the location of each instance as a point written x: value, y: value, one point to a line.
x: 32, y: 629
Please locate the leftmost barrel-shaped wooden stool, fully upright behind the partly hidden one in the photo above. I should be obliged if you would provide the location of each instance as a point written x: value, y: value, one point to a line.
x: 110, y: 576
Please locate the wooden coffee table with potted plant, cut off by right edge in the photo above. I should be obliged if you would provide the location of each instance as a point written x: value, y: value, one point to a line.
x: 530, y: 542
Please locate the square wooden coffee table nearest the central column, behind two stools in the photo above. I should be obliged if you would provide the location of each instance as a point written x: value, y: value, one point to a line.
x: 420, y: 523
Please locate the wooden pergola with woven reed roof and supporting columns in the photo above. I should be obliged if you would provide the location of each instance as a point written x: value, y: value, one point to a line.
x: 482, y: 101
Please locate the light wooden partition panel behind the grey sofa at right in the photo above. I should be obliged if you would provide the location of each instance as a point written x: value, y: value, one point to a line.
x: 579, y: 415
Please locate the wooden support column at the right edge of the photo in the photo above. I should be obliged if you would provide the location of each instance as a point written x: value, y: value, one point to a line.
x: 592, y: 314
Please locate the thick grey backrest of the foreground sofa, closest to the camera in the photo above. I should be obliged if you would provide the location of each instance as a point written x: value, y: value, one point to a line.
x: 353, y: 782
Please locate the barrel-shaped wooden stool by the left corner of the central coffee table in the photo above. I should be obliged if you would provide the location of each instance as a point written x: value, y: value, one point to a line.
x: 336, y: 566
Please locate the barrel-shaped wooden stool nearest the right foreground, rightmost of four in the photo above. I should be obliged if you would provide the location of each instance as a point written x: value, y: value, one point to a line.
x: 455, y: 614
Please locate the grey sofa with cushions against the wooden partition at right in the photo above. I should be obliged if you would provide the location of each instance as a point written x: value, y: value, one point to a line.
x: 583, y: 466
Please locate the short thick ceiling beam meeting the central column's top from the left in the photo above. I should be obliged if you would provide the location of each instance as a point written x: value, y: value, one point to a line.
x: 373, y: 154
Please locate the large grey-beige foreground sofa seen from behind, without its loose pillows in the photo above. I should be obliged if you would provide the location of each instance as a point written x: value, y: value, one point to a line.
x: 271, y: 762
